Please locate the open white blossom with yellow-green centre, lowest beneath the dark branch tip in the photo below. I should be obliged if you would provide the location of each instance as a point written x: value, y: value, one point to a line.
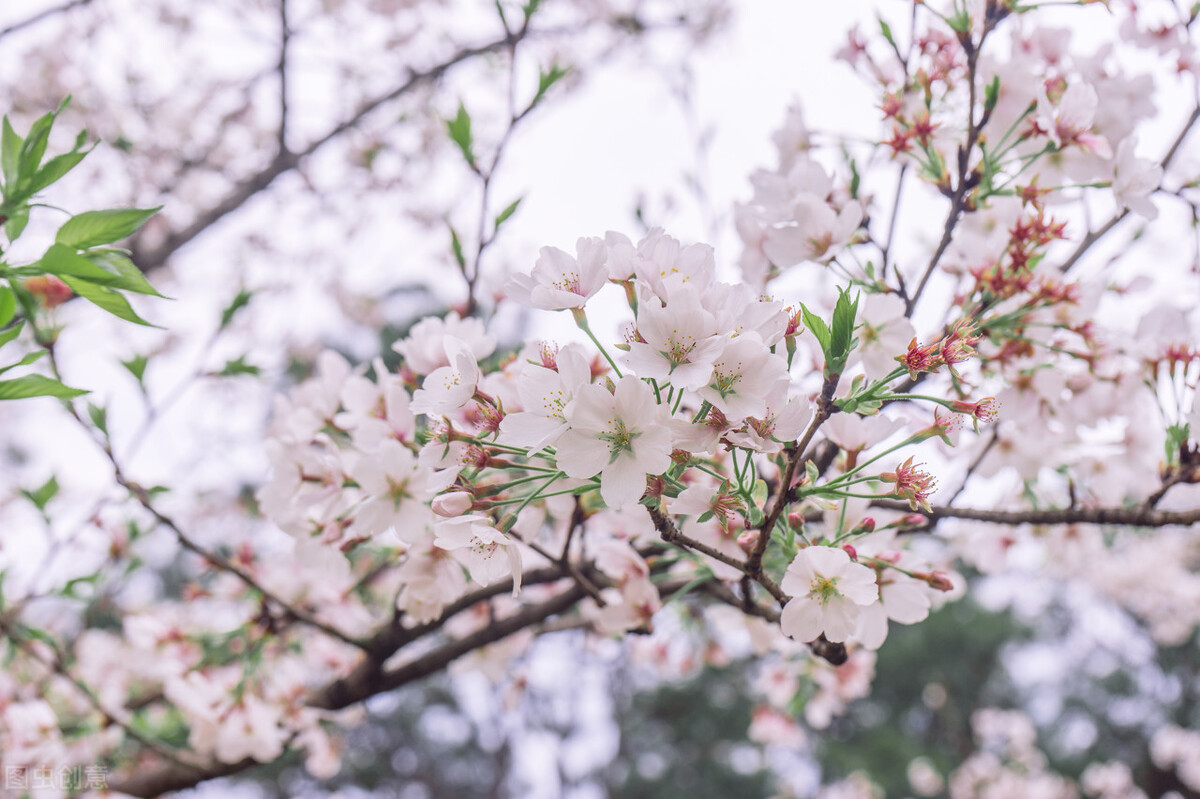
x: 829, y: 592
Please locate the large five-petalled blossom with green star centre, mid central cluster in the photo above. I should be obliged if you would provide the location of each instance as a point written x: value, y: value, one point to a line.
x: 622, y: 437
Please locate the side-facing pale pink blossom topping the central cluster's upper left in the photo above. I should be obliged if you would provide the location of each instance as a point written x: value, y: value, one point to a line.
x: 560, y: 281
